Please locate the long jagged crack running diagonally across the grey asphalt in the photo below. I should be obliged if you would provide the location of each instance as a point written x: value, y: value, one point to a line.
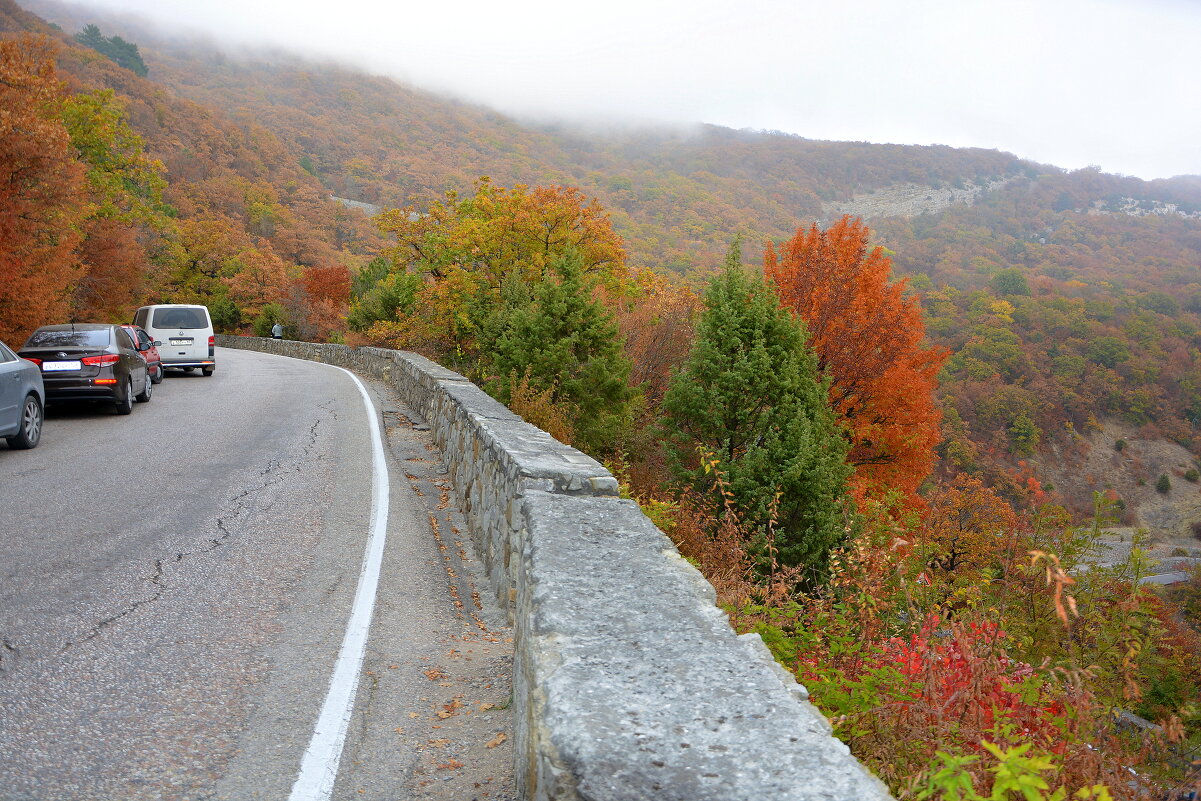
x: 243, y: 503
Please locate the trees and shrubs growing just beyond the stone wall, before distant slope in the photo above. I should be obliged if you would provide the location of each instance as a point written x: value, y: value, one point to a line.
x: 959, y: 636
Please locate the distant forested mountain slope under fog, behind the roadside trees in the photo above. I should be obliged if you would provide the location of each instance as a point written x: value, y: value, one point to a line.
x: 1066, y: 297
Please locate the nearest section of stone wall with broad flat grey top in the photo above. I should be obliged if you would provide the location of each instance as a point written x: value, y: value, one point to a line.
x: 636, y: 686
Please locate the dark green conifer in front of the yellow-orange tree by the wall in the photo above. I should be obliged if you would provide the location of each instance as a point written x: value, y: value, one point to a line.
x: 566, y: 343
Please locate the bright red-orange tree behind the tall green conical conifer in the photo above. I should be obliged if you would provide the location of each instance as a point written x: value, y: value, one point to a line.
x: 869, y: 339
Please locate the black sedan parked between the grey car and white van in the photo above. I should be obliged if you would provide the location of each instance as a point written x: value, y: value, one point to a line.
x: 89, y: 362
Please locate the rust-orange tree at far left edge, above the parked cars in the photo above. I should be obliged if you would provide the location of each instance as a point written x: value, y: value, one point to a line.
x: 41, y: 192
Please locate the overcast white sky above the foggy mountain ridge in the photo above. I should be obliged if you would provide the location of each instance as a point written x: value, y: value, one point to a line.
x: 1115, y: 83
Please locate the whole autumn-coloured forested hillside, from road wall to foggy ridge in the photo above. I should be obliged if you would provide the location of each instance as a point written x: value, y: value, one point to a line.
x: 894, y: 402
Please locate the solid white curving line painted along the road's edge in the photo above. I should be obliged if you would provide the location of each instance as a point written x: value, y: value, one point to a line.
x: 319, y: 769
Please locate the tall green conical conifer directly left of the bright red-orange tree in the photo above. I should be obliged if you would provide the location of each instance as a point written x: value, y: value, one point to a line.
x: 750, y: 394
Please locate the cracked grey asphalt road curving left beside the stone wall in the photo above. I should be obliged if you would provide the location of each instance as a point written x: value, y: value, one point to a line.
x: 175, y: 588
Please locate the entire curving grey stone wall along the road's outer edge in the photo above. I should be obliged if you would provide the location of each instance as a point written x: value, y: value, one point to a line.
x: 629, y: 682
